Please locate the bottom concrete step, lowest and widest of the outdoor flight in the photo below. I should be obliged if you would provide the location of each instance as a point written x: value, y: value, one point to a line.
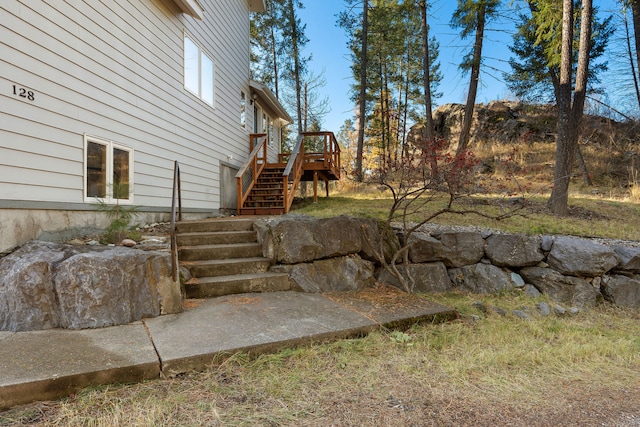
x: 209, y: 287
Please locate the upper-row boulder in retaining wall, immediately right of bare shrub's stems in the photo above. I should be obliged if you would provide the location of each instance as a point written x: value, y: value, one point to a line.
x: 454, y: 248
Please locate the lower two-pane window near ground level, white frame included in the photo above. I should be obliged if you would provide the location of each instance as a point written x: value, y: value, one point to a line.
x: 108, y: 171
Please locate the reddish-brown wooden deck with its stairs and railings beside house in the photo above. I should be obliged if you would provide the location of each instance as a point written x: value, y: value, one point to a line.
x: 268, y: 188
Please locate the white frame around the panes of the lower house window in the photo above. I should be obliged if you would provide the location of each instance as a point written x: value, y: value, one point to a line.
x: 111, y: 146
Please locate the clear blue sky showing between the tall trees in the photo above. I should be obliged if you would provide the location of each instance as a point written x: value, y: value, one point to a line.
x: 327, y: 45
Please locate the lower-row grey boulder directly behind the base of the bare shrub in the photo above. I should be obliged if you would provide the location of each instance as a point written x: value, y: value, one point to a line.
x: 428, y: 277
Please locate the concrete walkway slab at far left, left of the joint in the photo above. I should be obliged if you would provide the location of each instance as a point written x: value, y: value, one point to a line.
x: 54, y: 363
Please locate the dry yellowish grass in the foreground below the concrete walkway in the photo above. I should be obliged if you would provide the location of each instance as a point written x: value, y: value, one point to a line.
x: 577, y: 370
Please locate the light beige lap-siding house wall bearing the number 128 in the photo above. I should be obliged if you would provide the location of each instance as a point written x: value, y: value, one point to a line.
x: 113, y: 69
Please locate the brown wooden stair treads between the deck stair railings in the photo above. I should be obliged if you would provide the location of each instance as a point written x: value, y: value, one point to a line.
x: 267, y: 195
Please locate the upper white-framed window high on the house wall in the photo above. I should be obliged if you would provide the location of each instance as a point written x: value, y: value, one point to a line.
x: 198, y: 70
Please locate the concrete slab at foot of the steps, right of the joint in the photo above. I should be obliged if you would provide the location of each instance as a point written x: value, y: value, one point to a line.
x: 253, y: 323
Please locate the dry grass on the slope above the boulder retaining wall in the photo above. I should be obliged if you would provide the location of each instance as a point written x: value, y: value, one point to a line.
x: 610, y: 208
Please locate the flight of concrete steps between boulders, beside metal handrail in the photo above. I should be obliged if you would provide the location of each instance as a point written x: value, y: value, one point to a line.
x: 224, y: 258
